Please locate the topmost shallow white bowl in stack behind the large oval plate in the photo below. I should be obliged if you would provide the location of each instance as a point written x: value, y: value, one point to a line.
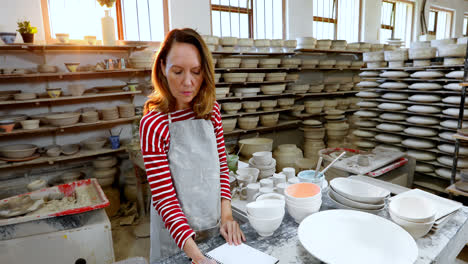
x: 359, y: 191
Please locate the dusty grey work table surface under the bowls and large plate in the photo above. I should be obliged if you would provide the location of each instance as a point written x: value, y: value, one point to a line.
x: 439, y: 247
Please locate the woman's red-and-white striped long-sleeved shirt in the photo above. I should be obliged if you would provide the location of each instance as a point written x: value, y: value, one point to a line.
x: 155, y: 141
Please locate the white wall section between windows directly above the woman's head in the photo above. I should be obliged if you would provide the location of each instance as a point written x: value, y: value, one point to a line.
x: 189, y: 13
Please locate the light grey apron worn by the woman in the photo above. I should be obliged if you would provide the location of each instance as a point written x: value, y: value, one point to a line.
x: 194, y: 165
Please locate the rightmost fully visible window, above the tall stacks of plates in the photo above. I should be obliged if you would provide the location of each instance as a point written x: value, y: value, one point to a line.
x: 440, y: 22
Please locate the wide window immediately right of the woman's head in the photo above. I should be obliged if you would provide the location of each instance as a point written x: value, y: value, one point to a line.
x: 260, y: 19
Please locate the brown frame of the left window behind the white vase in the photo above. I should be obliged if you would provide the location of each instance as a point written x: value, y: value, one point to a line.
x: 119, y: 20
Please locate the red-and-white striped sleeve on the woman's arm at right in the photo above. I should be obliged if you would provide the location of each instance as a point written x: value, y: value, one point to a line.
x: 224, y: 171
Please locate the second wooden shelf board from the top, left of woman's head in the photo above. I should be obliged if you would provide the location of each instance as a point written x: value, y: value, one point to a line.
x: 61, y: 75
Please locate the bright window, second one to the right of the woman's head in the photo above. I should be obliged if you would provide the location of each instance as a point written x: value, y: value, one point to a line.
x: 336, y: 19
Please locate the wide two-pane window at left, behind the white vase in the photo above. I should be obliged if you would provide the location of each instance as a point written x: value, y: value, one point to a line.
x: 134, y: 19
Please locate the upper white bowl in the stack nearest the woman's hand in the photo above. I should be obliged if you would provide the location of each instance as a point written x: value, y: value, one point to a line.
x: 266, y: 209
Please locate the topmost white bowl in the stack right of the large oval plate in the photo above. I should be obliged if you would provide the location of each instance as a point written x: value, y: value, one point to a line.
x: 413, y: 209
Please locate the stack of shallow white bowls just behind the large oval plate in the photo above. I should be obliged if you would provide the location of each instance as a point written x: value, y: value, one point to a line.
x: 357, y: 195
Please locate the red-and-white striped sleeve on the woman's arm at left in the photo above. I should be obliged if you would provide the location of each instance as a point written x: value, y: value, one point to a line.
x: 154, y: 139
